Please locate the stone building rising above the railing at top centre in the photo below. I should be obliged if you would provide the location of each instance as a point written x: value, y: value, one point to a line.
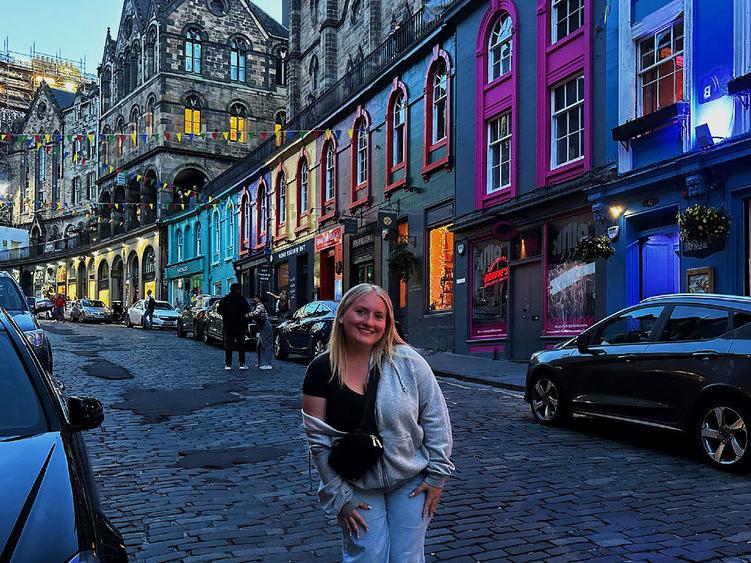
x: 329, y: 37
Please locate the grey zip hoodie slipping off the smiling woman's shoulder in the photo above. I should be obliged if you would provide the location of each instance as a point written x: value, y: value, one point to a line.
x: 413, y: 422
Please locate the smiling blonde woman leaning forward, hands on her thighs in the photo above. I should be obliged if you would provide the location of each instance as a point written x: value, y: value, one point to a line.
x: 378, y: 430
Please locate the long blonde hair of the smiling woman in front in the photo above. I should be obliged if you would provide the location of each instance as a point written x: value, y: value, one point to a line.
x: 382, y: 350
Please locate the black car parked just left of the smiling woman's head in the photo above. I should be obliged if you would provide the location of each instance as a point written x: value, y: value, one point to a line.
x: 307, y: 332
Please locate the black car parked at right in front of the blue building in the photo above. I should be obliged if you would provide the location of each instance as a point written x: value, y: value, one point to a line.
x: 681, y: 362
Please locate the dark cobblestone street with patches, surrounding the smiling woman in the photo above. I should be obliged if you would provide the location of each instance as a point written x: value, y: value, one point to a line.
x: 196, y: 463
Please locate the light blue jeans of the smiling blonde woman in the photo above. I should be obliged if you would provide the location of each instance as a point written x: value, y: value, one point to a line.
x: 396, y: 528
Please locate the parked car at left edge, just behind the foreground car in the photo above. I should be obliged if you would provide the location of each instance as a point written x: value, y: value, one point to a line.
x: 24, y: 310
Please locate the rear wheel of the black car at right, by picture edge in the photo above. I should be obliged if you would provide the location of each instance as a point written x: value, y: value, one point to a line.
x: 723, y: 434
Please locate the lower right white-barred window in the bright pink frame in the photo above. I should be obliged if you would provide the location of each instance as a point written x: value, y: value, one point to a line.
x: 568, y: 122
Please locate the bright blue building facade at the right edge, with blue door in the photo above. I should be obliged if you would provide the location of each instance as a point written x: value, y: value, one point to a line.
x: 682, y: 127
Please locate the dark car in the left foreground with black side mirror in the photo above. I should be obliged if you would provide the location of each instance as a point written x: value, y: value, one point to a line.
x: 50, y: 508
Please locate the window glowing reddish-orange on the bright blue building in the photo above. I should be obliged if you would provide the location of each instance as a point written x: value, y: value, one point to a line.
x: 661, y: 68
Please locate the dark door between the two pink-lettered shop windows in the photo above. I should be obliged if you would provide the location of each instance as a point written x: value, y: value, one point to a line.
x: 526, y: 328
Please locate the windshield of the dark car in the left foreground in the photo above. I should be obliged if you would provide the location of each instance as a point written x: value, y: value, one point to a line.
x: 20, y: 411
